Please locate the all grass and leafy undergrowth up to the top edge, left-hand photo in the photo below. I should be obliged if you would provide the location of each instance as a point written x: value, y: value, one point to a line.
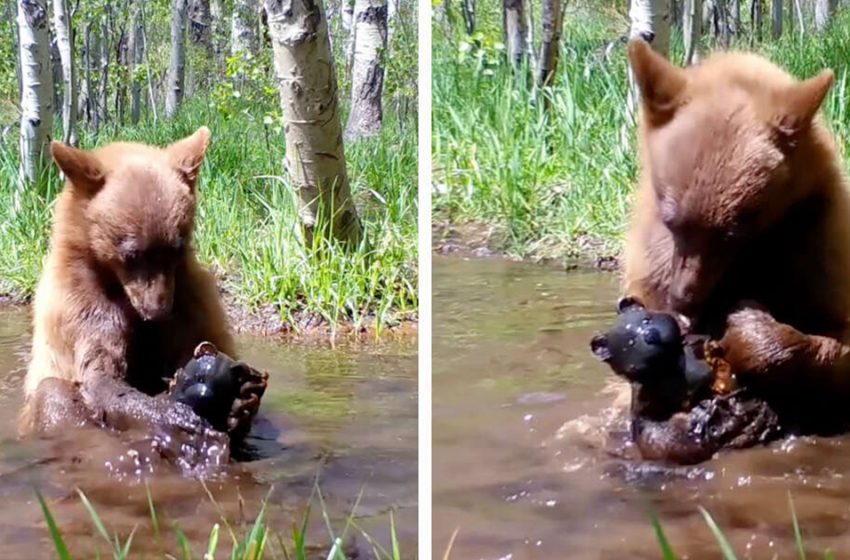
x: 248, y: 216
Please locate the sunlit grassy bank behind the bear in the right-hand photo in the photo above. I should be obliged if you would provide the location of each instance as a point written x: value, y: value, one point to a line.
x: 559, y: 184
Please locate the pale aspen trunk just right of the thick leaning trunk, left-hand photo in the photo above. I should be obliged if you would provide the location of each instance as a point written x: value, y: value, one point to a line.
x: 367, y: 74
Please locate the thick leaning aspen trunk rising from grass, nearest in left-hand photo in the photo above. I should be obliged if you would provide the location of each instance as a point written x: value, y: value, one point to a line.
x: 315, y: 157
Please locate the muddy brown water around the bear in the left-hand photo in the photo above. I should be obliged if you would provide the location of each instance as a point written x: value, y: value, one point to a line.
x: 347, y: 414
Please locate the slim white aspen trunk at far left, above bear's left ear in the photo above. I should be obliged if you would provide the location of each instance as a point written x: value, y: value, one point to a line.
x: 36, y: 87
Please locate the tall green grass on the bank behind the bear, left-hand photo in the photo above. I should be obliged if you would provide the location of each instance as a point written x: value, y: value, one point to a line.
x: 247, y: 223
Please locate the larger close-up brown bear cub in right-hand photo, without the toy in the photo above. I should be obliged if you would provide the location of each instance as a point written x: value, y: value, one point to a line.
x: 742, y: 225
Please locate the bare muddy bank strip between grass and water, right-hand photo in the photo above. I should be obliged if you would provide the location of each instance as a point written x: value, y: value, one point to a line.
x: 482, y: 240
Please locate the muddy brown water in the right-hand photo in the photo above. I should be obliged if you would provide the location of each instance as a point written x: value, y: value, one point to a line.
x: 512, y: 367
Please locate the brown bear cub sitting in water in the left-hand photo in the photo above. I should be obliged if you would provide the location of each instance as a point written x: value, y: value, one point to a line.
x: 122, y: 301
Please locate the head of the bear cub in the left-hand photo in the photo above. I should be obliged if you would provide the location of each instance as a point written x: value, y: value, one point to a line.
x: 133, y: 210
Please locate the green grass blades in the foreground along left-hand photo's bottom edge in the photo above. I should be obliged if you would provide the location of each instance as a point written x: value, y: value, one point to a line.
x: 250, y: 541
